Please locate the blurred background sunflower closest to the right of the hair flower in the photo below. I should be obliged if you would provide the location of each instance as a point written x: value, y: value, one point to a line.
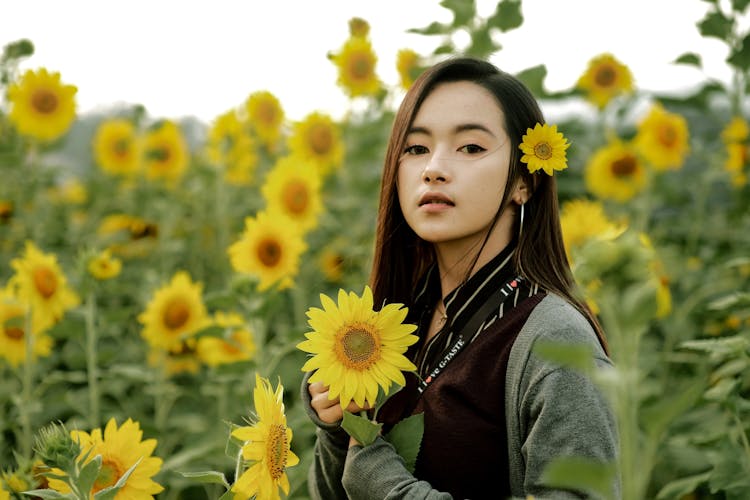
x: 615, y: 172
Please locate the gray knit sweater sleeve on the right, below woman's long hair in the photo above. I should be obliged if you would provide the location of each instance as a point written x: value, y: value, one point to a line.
x: 556, y: 411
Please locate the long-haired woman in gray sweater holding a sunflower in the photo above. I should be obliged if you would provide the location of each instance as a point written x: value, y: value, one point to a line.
x: 469, y: 239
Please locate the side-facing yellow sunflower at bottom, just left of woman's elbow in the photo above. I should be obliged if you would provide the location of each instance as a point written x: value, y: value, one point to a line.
x: 266, y: 446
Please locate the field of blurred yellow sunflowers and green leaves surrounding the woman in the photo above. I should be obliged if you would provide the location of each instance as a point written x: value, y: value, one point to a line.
x: 156, y: 275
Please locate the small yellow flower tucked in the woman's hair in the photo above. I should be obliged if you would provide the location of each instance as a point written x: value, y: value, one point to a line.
x: 544, y: 148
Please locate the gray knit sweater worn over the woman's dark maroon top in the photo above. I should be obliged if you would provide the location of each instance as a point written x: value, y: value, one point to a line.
x: 551, y: 411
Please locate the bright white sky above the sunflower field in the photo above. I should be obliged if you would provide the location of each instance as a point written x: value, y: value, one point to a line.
x: 201, y: 58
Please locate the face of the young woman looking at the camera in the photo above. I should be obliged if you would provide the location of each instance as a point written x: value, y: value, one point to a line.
x: 454, y: 166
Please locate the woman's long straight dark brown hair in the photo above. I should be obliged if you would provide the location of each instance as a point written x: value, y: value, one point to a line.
x: 401, y: 257
